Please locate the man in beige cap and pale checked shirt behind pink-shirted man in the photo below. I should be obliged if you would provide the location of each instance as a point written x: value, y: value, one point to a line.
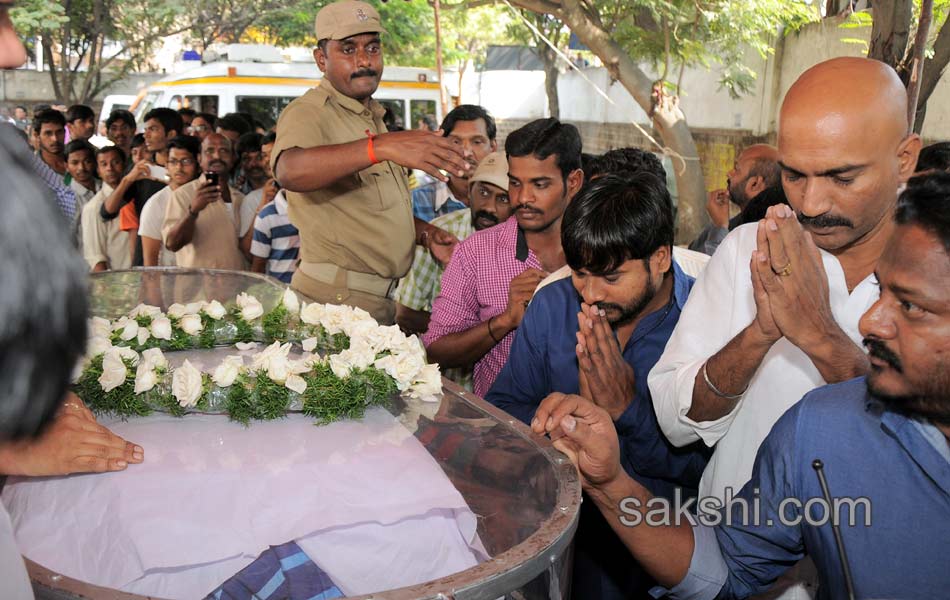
x: 488, y: 206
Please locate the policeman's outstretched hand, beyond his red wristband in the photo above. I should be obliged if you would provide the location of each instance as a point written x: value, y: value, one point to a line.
x: 424, y: 150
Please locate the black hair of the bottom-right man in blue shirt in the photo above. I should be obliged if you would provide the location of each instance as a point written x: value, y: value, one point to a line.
x: 926, y: 203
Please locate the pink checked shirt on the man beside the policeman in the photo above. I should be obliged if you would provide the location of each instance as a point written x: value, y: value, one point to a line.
x: 475, y: 289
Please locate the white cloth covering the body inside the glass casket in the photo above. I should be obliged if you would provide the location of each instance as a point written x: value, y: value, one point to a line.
x: 212, y: 495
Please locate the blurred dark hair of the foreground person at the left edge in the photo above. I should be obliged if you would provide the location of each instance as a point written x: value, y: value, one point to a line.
x: 43, y: 304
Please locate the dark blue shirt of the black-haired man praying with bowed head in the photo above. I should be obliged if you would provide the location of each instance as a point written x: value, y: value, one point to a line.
x: 543, y: 361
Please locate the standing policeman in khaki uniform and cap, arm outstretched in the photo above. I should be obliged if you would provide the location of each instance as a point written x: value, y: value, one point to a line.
x: 342, y: 171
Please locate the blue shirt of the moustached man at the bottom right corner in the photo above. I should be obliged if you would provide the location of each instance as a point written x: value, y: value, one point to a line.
x: 900, y: 465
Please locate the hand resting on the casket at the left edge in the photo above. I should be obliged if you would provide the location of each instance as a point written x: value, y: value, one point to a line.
x: 73, y: 443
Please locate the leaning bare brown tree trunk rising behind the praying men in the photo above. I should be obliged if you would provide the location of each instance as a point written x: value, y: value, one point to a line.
x: 668, y: 120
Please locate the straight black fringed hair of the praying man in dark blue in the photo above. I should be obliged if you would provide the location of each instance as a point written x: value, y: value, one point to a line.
x: 616, y: 218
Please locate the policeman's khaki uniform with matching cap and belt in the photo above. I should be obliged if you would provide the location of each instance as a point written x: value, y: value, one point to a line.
x: 357, y: 235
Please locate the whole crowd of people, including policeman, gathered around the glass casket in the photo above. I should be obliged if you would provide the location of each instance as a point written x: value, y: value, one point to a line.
x: 800, y: 346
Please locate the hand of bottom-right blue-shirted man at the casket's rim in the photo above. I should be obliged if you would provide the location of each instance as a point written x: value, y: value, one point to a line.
x: 585, y: 433
